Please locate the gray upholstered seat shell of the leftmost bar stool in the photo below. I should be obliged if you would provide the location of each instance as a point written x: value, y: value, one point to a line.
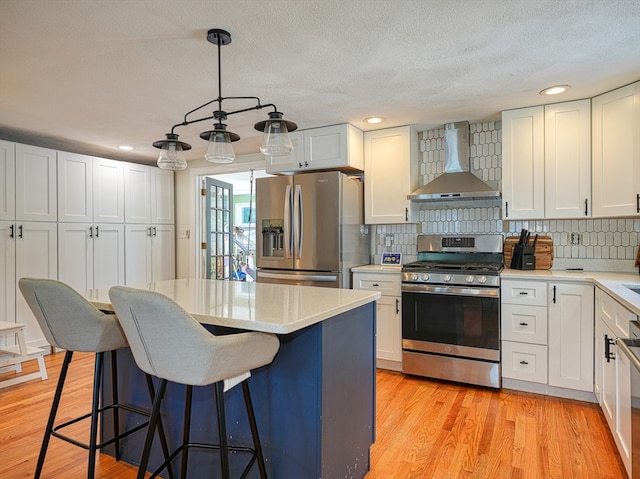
x: 68, y: 321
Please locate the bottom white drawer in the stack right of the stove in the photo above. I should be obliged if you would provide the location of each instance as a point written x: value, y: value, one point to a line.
x: 527, y: 362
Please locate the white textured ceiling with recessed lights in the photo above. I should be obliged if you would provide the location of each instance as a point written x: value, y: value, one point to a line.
x: 89, y: 75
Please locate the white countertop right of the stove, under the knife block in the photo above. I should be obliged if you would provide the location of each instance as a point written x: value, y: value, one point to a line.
x: 612, y: 283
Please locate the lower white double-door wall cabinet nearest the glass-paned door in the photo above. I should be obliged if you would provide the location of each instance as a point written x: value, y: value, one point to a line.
x: 149, y: 253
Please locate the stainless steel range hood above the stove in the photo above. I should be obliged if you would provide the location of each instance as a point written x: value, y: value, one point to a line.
x: 457, y: 182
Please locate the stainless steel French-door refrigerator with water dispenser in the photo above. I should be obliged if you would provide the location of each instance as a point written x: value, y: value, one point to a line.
x: 310, y: 229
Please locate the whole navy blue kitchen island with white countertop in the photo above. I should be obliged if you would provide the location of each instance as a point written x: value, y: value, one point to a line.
x: 314, y: 404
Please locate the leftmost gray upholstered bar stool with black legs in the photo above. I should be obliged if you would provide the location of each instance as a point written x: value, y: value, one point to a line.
x: 70, y: 322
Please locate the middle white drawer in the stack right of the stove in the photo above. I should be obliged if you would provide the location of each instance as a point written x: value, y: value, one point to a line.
x: 527, y: 324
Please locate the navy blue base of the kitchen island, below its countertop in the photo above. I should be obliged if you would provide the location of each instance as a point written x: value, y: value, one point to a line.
x: 314, y: 404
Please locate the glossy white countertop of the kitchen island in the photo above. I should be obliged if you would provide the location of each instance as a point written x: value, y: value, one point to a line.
x: 272, y: 308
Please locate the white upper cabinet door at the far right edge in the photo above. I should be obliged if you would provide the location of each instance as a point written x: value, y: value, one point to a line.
x: 616, y: 152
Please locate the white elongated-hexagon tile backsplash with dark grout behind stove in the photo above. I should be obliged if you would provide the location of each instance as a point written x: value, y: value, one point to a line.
x: 605, y: 243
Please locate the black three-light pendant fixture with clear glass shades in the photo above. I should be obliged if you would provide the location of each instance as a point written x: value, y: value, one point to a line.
x: 275, y: 138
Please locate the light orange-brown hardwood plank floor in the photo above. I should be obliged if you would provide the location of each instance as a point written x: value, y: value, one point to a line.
x: 425, y: 429
